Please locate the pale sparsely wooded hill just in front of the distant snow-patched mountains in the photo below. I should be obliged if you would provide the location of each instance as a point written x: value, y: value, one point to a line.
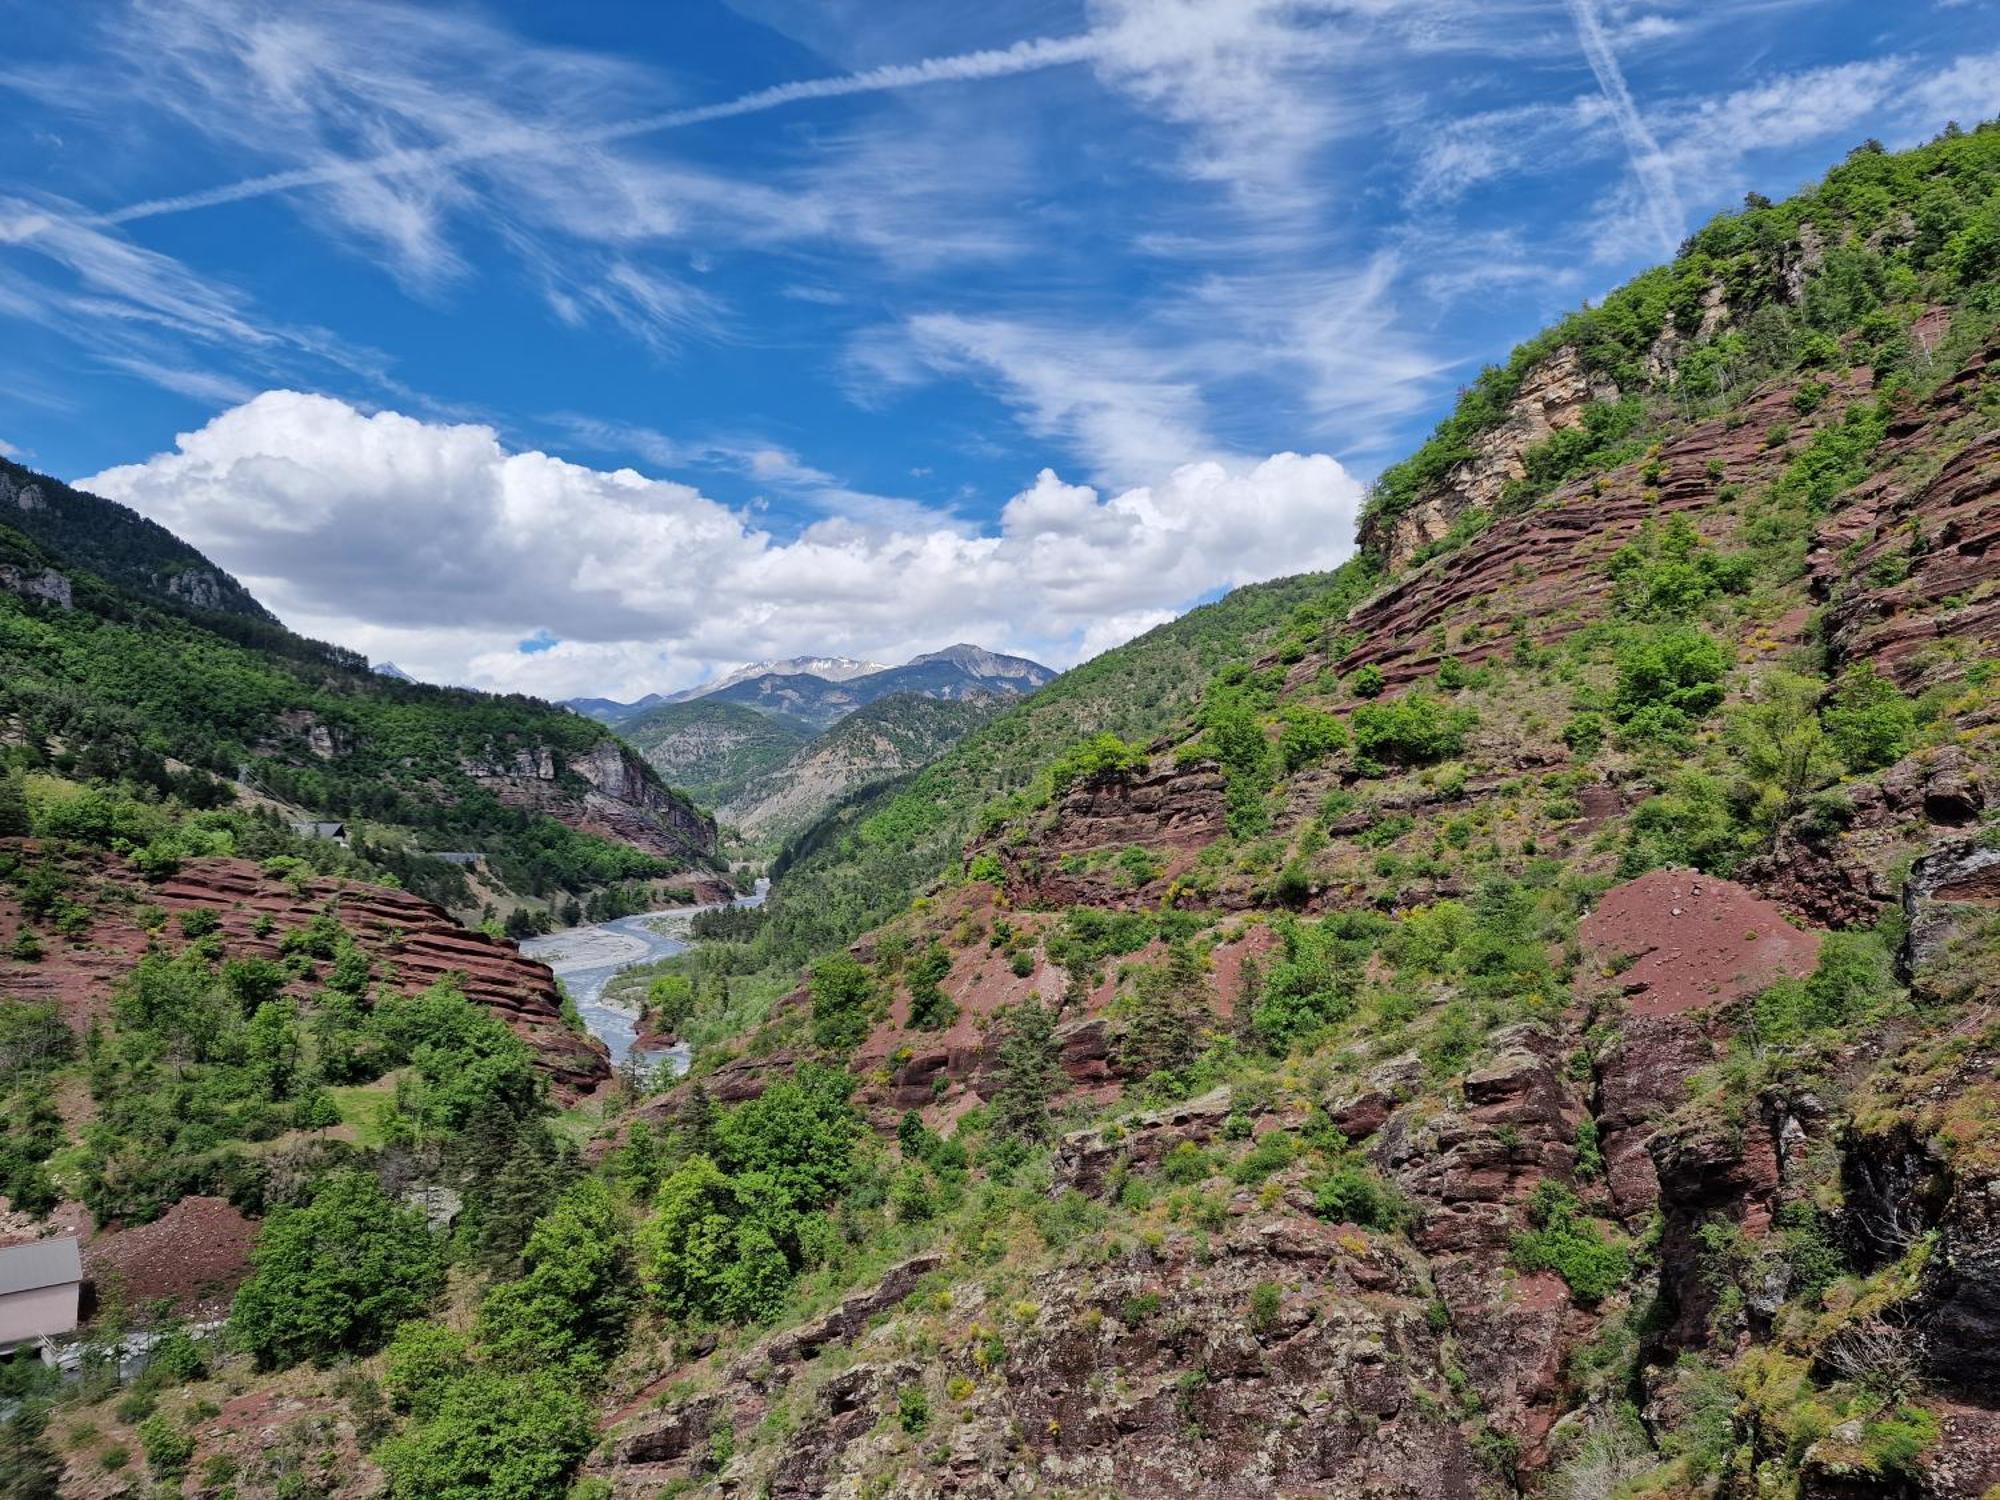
x: 873, y: 745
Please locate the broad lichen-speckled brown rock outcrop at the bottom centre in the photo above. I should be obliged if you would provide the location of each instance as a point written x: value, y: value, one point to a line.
x: 1149, y: 1377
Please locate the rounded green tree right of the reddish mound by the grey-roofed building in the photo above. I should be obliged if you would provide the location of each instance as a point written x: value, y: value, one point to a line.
x: 337, y: 1275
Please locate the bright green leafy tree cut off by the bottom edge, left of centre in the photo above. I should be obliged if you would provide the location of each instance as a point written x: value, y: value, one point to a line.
x: 493, y: 1437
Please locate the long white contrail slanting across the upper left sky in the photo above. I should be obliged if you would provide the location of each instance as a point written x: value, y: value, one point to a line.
x: 1033, y: 55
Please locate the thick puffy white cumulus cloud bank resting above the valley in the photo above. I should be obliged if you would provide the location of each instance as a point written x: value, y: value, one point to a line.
x: 439, y: 547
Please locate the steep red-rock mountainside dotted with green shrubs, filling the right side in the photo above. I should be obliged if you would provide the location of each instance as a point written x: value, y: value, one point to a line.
x: 1529, y: 1029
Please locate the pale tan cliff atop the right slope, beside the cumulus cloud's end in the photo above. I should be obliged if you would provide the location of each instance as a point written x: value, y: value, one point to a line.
x: 1553, y: 397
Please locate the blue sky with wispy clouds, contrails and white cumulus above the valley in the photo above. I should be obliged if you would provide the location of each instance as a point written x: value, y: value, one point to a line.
x: 671, y: 337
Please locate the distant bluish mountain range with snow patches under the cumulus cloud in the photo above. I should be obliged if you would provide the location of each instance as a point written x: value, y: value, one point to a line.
x: 819, y: 691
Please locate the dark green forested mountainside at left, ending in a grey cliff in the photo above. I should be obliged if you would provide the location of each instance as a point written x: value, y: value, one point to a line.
x: 189, y: 701
